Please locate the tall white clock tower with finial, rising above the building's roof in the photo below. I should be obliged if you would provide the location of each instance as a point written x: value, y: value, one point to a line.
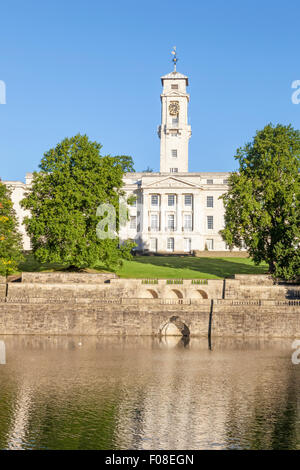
x: 174, y: 131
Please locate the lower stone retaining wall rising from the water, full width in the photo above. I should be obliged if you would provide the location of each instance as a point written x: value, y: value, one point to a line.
x: 148, y: 318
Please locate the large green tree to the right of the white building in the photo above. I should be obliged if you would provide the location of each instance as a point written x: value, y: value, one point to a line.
x: 262, y: 204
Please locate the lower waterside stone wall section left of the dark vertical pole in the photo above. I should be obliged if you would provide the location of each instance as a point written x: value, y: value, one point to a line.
x: 106, y: 319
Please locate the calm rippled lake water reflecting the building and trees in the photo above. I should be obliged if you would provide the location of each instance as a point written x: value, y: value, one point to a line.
x: 140, y: 393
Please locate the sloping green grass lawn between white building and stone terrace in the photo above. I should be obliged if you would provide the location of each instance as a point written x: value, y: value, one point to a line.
x: 177, y: 267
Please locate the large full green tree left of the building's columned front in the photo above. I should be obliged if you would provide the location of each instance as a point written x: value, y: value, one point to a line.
x: 65, y: 195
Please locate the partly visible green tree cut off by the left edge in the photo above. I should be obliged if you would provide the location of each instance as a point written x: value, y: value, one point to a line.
x: 10, y: 237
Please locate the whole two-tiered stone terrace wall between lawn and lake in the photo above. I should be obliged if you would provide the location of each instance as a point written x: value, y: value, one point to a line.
x: 238, y: 307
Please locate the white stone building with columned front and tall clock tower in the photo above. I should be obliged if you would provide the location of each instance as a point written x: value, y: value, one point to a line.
x: 175, y: 211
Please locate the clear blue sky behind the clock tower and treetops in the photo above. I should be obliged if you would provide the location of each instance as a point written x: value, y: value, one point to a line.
x: 94, y: 67
